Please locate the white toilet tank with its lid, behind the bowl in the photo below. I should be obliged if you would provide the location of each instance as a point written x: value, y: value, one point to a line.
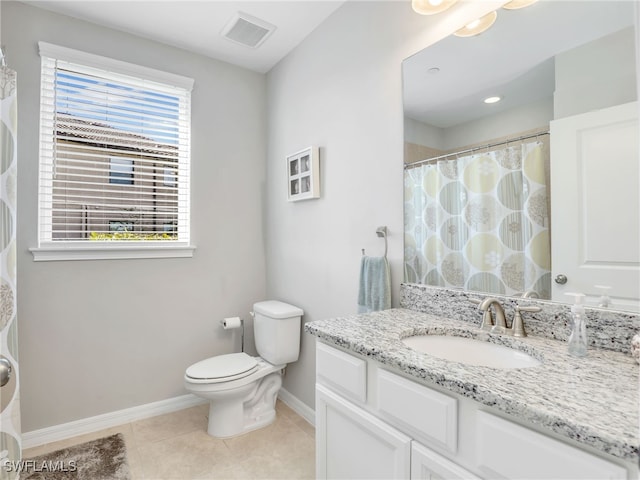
x: 276, y: 329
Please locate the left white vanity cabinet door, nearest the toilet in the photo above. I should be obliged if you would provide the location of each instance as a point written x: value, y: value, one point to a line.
x: 353, y: 444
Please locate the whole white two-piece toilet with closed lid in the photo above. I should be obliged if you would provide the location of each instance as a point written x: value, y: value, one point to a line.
x: 242, y: 389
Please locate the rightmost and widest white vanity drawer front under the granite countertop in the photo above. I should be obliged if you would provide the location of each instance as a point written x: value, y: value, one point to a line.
x: 508, y: 450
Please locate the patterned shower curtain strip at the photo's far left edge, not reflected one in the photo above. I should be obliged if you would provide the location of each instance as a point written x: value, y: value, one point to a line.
x: 10, y: 441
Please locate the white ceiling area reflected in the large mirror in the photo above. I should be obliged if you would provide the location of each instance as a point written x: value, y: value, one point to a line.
x: 513, y: 59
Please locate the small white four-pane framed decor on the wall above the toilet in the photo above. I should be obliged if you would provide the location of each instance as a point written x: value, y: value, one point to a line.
x: 303, y: 174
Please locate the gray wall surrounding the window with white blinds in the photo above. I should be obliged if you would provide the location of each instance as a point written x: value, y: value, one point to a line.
x: 99, y: 336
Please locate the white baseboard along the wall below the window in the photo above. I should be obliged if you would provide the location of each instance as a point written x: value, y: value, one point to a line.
x: 108, y: 420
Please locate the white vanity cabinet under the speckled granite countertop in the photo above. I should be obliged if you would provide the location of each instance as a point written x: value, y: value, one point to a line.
x: 374, y: 423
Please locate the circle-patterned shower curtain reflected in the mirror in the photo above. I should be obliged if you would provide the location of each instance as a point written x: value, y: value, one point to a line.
x: 480, y: 222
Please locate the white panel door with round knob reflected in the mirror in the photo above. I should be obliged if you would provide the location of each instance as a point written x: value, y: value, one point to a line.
x: 595, y: 203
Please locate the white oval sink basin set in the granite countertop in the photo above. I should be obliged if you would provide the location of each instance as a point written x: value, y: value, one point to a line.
x: 470, y: 351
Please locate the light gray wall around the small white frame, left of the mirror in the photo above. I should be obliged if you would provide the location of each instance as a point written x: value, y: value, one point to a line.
x: 341, y: 89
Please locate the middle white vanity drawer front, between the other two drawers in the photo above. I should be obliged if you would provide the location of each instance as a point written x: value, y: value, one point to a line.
x: 427, y: 415
